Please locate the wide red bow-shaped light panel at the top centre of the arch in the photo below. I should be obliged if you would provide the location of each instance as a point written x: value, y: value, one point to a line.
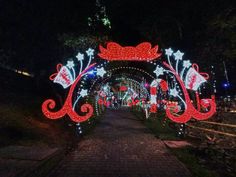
x: 141, y: 52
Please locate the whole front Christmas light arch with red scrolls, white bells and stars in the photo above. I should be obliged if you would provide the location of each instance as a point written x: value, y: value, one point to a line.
x: 181, y: 75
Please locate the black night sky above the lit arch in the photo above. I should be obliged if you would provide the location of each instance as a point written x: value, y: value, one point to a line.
x: 29, y: 29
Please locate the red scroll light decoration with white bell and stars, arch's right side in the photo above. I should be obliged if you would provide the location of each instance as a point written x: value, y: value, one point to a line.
x: 188, y: 78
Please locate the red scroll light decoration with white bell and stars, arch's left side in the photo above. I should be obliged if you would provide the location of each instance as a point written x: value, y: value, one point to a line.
x: 67, y: 77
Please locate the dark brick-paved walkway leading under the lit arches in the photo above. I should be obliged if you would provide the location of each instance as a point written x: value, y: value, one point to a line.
x: 120, y: 146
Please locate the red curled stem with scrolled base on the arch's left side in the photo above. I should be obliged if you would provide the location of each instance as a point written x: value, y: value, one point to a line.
x: 68, y: 106
